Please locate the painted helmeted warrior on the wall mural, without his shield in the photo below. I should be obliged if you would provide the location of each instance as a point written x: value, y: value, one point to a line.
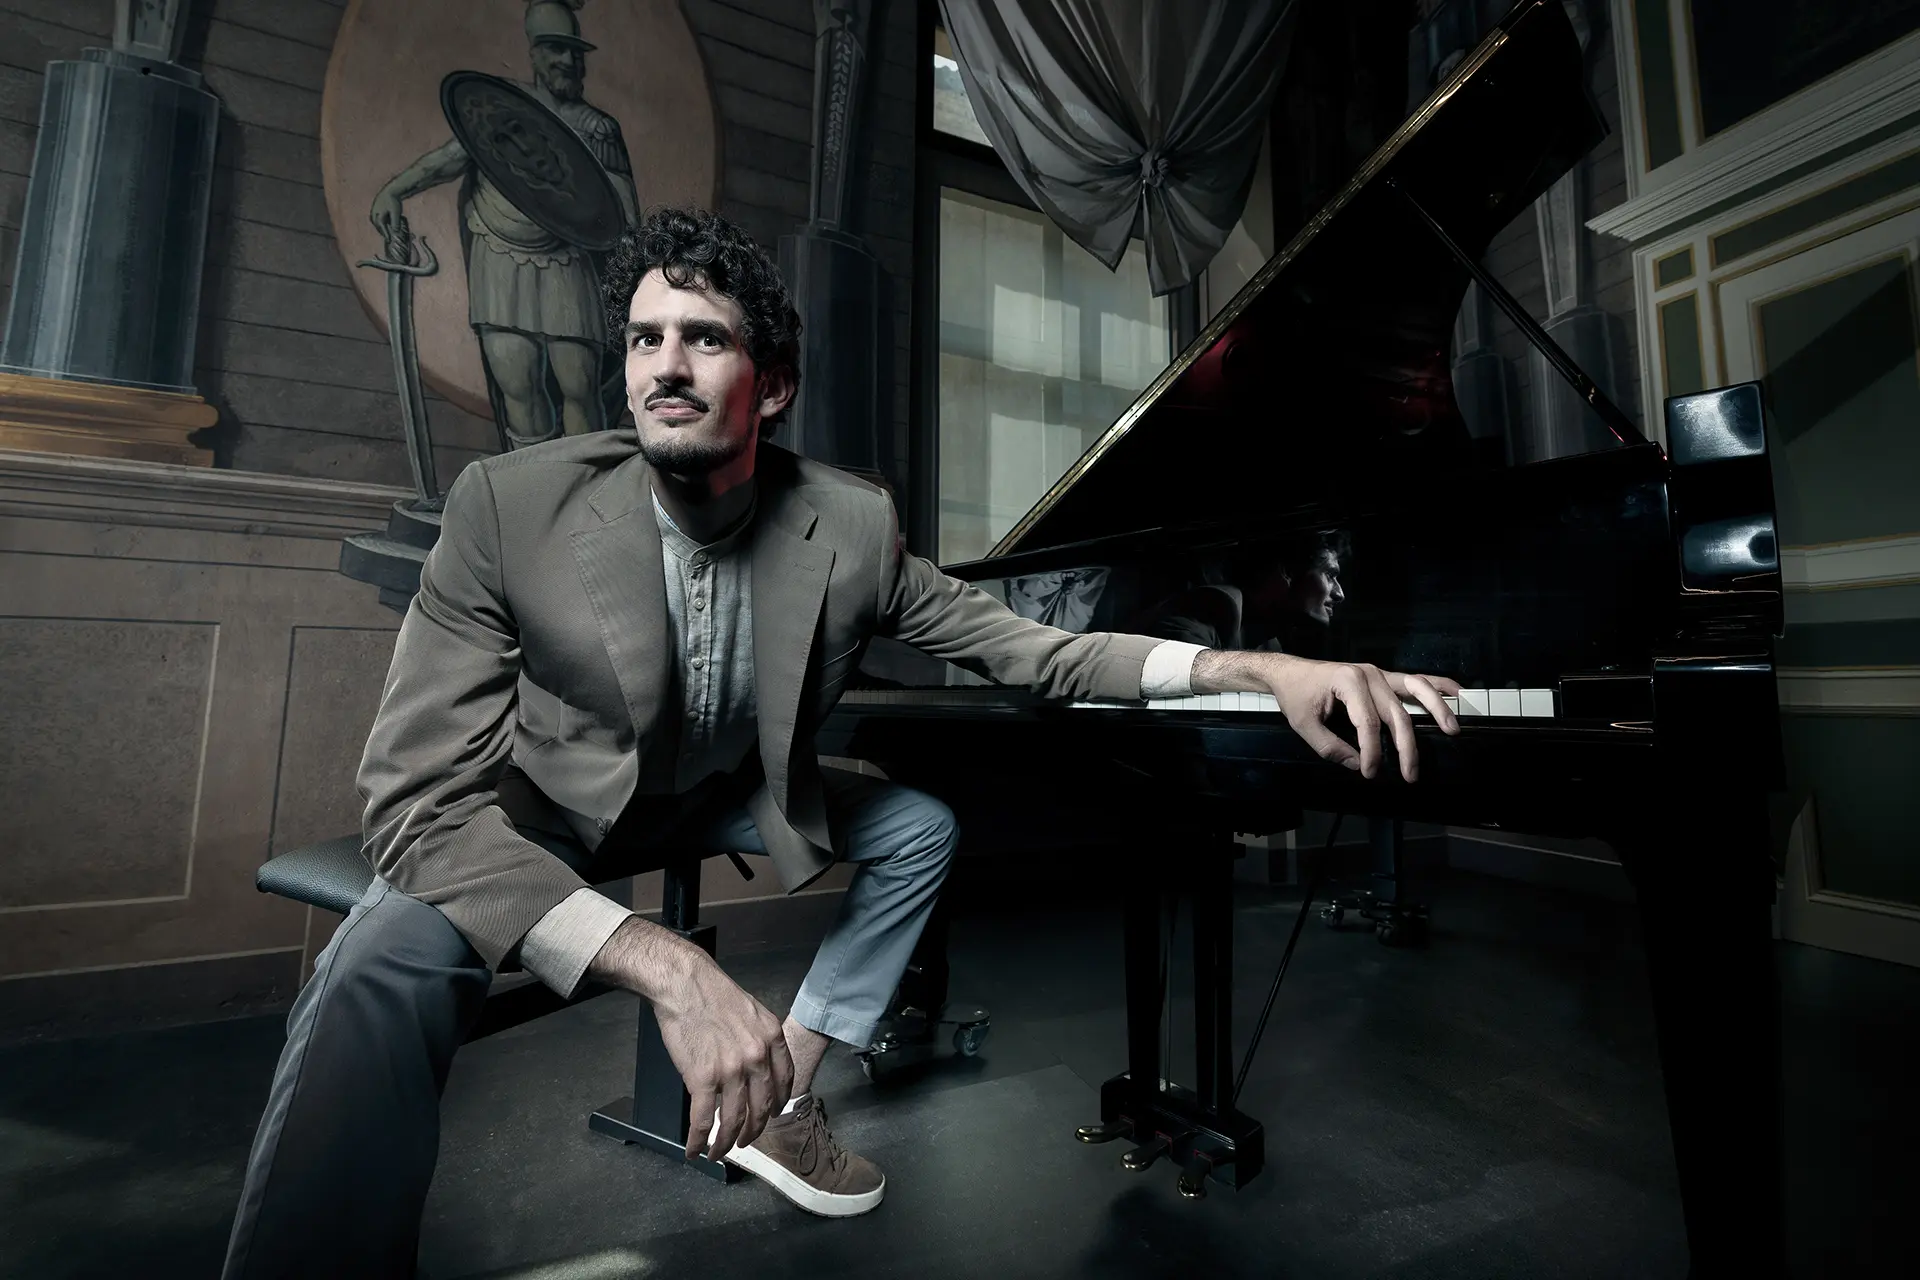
x: 531, y: 298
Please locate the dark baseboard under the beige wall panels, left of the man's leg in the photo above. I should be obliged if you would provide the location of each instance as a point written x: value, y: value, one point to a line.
x: 89, y: 1003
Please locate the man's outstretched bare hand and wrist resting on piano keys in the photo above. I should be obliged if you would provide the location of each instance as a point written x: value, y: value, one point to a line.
x: 1308, y: 692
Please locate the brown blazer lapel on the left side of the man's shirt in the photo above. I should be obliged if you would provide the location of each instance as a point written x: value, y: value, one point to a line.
x: 621, y: 565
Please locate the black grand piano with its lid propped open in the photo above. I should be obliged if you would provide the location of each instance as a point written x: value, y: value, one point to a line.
x: 1610, y: 617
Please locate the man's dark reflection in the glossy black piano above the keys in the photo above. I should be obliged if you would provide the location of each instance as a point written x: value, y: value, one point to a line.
x: 1274, y: 600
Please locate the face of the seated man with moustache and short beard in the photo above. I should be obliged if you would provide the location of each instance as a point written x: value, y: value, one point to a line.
x: 690, y: 383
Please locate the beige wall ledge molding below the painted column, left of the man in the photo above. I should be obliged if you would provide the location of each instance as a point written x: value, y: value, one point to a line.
x: 47, y: 486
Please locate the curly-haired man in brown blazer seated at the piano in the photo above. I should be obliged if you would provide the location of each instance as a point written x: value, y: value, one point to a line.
x: 625, y: 644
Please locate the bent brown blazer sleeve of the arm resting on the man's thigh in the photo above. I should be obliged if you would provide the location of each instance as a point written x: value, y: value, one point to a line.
x: 444, y: 736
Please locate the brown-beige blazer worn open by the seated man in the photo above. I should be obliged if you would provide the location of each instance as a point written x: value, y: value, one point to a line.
x: 540, y: 640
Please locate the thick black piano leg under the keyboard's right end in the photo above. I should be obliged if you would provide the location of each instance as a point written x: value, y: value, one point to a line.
x: 1706, y: 889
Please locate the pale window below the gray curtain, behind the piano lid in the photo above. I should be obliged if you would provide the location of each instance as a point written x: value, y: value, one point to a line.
x: 1028, y: 348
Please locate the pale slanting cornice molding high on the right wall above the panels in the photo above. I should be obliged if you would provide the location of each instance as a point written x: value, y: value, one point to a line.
x: 1850, y: 105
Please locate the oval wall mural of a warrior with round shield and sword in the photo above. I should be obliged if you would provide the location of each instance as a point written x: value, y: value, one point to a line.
x: 481, y: 156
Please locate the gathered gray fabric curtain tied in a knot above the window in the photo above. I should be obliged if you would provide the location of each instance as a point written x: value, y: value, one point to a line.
x: 1128, y: 118
